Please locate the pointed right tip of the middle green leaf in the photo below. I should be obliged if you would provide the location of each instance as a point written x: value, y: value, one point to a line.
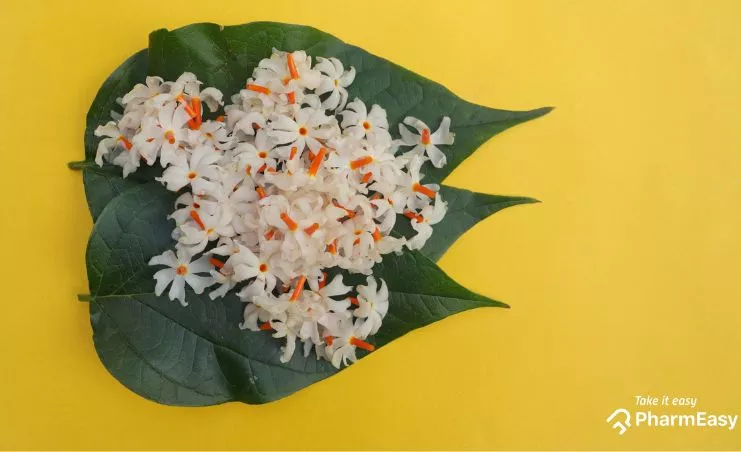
x: 465, y: 209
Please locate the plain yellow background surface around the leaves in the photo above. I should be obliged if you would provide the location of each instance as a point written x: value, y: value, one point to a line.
x: 624, y: 281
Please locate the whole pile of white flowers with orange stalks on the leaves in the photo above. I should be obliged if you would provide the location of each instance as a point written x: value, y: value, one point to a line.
x: 290, y: 181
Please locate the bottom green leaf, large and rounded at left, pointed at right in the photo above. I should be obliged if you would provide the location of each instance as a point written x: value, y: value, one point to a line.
x: 196, y: 355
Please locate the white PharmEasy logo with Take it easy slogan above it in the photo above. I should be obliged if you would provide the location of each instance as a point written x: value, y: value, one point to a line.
x: 654, y: 415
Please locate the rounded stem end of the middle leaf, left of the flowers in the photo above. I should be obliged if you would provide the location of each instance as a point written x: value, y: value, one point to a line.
x: 102, y: 186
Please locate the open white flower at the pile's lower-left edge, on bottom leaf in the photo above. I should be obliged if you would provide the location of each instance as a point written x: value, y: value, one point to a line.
x: 179, y: 272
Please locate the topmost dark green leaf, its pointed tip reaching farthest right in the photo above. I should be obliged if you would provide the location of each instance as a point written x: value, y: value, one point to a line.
x: 225, y: 56
